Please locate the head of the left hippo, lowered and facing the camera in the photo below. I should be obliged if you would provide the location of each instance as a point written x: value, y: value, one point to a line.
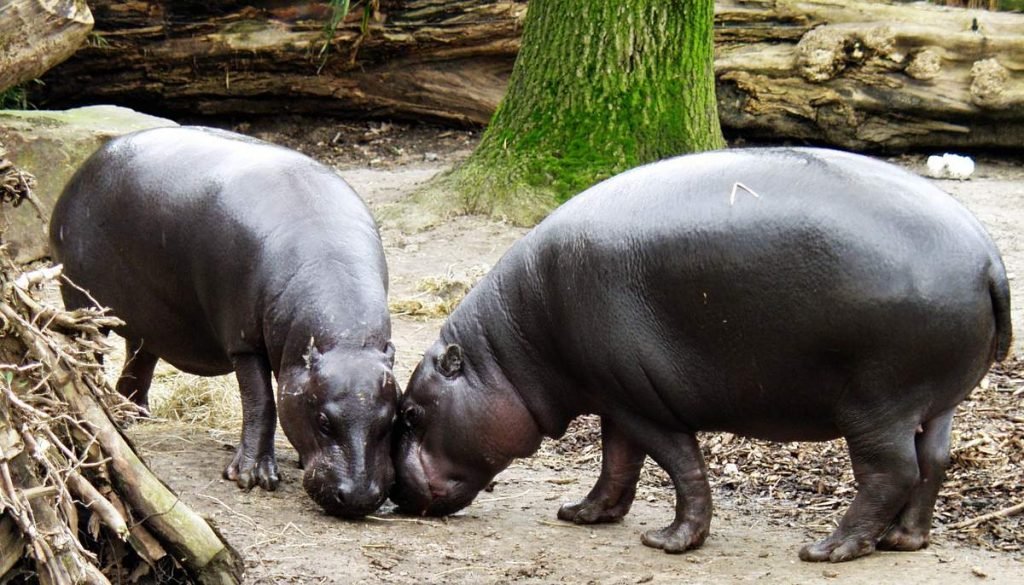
x: 337, y: 410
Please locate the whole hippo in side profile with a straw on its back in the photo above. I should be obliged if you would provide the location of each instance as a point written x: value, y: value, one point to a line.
x: 787, y: 295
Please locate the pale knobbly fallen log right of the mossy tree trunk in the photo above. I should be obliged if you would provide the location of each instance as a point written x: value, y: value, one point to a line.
x: 866, y: 76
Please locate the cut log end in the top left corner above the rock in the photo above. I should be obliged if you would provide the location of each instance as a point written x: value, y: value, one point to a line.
x: 35, y: 35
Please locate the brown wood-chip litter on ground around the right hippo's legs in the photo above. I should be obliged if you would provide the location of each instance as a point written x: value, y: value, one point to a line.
x: 812, y: 485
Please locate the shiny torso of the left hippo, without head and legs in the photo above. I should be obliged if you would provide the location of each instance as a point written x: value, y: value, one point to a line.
x: 195, y: 237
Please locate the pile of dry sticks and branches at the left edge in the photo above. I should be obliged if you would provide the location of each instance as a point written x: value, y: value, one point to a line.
x: 77, y: 504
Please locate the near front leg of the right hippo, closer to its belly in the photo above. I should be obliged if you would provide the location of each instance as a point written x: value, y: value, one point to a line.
x: 679, y: 455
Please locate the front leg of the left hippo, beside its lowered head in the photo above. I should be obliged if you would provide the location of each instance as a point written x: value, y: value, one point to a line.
x: 254, y: 464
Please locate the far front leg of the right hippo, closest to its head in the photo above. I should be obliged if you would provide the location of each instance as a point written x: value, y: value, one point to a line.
x: 612, y: 497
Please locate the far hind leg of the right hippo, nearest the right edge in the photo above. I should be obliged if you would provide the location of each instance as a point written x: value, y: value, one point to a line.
x: 911, y: 531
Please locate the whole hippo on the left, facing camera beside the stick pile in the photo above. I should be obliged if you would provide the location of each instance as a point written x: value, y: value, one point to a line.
x: 224, y: 254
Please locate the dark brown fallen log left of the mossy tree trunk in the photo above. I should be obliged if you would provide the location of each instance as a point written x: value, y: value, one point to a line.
x: 417, y: 60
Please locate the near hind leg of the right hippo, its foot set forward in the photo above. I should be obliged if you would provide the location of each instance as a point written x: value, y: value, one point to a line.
x: 885, y: 465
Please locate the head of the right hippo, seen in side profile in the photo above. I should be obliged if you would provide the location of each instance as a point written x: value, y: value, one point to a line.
x: 459, y: 426
